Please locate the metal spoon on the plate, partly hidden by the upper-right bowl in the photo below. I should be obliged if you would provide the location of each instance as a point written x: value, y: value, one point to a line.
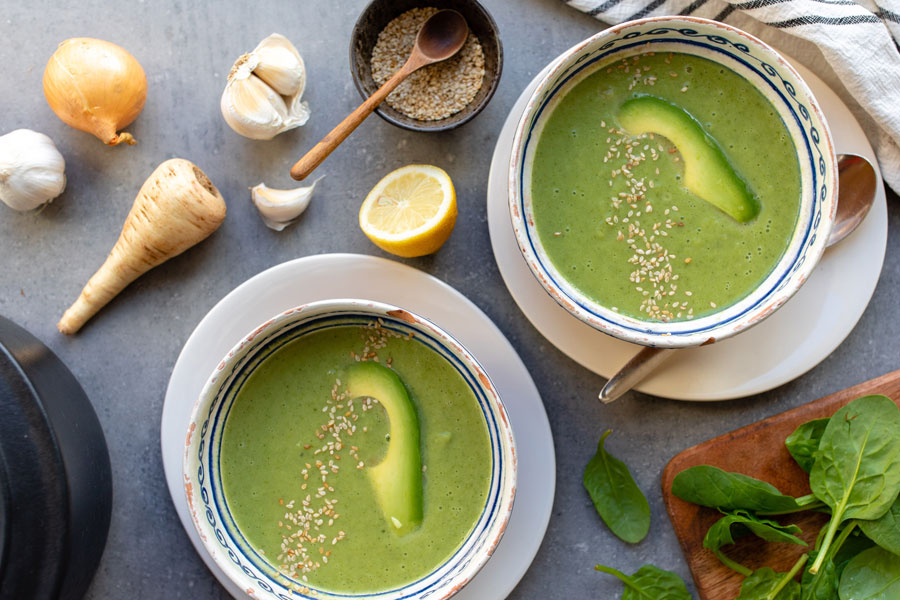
x: 856, y: 192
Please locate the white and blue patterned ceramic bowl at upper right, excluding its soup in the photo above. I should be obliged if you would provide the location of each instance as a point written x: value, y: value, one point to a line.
x: 776, y: 80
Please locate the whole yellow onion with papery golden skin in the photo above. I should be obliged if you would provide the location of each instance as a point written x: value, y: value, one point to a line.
x: 95, y: 86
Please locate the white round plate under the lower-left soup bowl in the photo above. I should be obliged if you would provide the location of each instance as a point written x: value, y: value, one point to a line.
x: 355, y: 276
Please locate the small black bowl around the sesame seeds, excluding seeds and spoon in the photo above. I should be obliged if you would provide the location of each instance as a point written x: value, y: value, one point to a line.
x: 375, y: 18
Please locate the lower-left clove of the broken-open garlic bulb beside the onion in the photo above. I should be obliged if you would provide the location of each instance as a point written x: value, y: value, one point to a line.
x: 253, y: 109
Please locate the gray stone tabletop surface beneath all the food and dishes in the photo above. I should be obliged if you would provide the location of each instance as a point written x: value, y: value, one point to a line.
x: 124, y: 356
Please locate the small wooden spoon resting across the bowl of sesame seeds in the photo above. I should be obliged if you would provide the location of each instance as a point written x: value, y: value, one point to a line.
x: 440, y: 37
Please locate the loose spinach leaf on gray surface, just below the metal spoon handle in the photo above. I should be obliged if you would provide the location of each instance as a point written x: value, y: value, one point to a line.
x: 617, y: 498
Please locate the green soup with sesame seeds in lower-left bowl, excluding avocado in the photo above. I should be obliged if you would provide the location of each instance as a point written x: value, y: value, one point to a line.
x: 294, y: 455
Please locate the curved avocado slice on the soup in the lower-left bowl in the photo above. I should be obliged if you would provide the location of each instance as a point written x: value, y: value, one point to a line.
x: 397, y: 479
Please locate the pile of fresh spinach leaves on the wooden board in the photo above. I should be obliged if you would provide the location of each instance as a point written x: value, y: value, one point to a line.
x: 853, y: 460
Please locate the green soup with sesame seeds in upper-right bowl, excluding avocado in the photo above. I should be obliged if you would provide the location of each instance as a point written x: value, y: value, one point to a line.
x: 610, y: 209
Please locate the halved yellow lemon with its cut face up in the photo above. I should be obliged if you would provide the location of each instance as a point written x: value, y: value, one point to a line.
x: 411, y: 211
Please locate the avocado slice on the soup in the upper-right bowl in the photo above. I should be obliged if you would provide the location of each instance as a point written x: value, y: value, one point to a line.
x: 707, y: 172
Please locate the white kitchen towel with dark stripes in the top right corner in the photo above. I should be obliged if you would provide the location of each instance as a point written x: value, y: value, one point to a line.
x: 851, y: 44
